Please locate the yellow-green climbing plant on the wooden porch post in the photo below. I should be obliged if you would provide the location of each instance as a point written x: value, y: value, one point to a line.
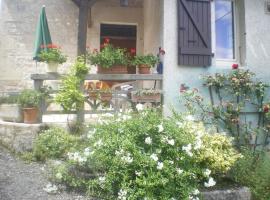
x: 70, y: 96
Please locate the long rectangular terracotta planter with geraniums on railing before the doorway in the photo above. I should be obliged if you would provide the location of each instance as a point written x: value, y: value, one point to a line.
x: 110, y: 60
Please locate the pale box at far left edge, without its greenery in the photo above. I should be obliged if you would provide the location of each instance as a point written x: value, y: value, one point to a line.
x: 10, y: 113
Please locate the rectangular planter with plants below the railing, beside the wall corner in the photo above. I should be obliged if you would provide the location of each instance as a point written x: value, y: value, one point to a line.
x: 146, y: 95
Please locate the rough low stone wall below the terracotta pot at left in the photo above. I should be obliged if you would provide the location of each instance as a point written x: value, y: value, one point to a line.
x: 18, y: 137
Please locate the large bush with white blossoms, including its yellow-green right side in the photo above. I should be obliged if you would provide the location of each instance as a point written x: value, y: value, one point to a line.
x: 147, y: 156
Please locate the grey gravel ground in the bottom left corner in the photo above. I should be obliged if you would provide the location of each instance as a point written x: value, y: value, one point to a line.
x: 21, y: 181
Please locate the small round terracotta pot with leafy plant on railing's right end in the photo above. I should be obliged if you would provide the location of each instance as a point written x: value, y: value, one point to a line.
x: 144, y: 63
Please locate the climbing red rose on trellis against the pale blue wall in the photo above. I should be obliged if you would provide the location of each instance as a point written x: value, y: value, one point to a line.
x: 231, y: 97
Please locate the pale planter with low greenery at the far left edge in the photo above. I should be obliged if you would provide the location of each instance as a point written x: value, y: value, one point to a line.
x: 9, y: 109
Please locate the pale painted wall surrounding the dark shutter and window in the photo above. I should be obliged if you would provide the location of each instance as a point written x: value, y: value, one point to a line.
x: 257, y: 25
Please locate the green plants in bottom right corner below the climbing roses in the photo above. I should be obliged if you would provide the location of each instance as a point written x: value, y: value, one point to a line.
x: 253, y: 171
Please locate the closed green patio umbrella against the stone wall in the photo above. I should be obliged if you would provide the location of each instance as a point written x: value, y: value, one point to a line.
x: 43, y: 37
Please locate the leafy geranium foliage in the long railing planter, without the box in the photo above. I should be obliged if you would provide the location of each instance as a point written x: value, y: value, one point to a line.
x: 109, y: 56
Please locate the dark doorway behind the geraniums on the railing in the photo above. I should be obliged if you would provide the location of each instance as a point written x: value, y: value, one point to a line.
x: 122, y: 36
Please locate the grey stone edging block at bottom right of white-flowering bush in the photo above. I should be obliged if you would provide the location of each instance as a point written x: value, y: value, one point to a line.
x: 229, y: 194
